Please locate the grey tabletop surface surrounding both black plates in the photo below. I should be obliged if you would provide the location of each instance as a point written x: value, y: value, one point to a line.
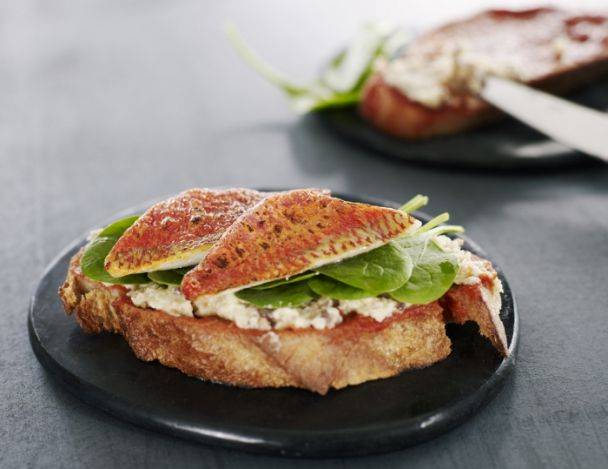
x: 105, y: 104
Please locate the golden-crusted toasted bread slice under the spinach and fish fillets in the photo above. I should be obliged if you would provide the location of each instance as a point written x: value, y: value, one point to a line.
x: 359, y: 349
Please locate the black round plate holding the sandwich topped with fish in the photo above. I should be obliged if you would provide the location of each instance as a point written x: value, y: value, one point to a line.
x: 372, y: 417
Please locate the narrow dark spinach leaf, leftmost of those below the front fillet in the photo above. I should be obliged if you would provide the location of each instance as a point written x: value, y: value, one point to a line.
x: 289, y: 295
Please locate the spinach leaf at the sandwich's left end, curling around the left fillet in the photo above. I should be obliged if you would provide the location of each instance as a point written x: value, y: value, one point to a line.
x: 93, y: 258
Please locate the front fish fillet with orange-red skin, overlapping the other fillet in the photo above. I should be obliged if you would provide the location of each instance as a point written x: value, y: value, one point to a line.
x: 289, y: 233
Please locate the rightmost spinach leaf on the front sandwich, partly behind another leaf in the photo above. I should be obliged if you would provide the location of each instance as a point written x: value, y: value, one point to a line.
x: 433, y: 274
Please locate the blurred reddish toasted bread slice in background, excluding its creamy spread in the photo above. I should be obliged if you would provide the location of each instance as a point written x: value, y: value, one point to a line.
x: 546, y: 48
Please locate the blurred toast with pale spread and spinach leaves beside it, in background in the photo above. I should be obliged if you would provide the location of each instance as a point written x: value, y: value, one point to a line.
x: 429, y: 86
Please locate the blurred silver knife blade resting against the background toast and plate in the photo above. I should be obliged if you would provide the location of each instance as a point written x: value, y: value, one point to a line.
x: 573, y: 125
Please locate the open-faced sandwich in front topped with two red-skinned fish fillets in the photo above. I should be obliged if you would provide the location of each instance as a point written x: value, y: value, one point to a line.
x: 294, y: 288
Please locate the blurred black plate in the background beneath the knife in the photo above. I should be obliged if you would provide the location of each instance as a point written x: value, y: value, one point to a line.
x: 504, y: 145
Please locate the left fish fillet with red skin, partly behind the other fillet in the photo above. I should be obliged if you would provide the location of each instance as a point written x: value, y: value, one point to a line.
x: 178, y: 231
